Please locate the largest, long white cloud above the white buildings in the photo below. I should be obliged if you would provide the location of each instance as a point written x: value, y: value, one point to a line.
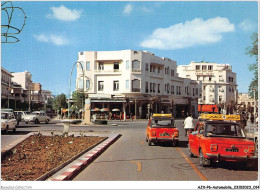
x: 188, y: 34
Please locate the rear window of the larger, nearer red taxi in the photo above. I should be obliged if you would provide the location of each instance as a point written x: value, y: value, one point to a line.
x: 224, y: 130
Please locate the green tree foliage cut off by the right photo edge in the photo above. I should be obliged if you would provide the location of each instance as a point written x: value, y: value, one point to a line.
x: 253, y: 52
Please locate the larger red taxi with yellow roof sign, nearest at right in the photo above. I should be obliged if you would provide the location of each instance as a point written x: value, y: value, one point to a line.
x: 217, y: 138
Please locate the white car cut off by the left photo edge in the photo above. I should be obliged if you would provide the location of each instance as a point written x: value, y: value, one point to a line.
x: 8, y: 122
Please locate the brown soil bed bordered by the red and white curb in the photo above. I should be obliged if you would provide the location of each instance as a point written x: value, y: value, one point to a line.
x: 39, y: 154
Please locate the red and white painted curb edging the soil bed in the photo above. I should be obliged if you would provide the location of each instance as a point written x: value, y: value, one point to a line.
x: 85, y: 160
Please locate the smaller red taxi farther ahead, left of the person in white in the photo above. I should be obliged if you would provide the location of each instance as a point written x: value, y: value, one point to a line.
x: 162, y: 128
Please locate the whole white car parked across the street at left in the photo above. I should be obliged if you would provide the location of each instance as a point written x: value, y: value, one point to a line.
x: 37, y: 117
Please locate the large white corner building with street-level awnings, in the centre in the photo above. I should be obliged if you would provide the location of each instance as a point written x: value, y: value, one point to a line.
x: 136, y: 82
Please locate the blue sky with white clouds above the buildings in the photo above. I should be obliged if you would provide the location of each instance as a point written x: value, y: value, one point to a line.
x: 183, y: 31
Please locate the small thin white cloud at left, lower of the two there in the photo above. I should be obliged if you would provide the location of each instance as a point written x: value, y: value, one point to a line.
x: 54, y: 39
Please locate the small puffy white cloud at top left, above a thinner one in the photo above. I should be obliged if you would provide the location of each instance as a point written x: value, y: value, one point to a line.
x: 64, y: 14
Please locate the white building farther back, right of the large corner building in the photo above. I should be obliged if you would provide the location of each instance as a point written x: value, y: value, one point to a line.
x: 219, y: 83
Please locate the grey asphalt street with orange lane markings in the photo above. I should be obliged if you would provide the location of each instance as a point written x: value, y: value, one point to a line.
x: 131, y: 159
